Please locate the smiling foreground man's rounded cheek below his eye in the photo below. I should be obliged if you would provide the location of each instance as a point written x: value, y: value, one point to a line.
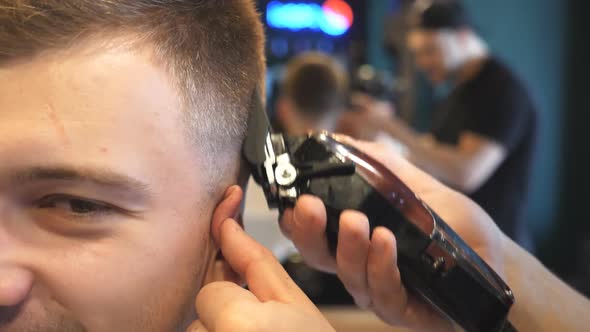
x: 140, y: 278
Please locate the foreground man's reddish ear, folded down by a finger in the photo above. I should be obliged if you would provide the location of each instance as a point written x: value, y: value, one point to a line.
x: 228, y: 207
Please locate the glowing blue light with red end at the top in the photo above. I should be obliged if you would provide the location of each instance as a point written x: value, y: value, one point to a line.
x: 310, y: 16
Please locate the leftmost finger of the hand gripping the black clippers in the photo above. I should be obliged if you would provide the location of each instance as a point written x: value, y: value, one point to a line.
x: 306, y: 227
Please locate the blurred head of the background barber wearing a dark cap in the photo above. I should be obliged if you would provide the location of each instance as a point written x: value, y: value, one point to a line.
x: 442, y: 40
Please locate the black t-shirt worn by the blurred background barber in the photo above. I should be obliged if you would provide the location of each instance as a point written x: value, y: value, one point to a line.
x: 496, y: 105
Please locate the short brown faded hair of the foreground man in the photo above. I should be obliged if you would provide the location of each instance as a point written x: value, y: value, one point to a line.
x: 214, y: 49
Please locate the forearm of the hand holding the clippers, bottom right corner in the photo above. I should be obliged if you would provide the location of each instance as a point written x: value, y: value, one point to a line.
x: 543, y: 301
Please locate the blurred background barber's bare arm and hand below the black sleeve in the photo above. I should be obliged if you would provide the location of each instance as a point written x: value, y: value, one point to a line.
x: 465, y: 166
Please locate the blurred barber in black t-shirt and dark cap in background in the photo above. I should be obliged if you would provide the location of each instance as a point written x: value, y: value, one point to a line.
x: 483, y: 134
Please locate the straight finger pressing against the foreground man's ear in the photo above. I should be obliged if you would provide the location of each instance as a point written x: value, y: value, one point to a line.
x: 264, y: 275
